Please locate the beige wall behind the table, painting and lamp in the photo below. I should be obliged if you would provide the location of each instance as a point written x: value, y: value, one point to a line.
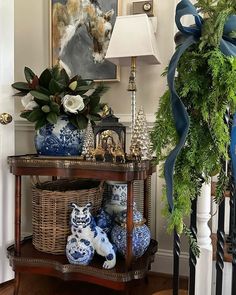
x: 32, y: 49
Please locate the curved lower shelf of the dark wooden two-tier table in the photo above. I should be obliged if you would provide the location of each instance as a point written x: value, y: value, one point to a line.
x: 34, y: 261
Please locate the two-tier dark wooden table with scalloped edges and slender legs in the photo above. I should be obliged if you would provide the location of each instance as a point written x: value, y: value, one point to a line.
x: 25, y: 258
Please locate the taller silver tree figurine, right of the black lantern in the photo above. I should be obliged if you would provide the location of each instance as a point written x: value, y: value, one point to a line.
x: 141, y: 147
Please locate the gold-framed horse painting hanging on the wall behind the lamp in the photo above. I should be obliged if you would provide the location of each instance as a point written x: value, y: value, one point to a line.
x: 79, y: 36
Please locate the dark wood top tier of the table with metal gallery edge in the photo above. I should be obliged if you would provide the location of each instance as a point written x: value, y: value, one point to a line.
x: 71, y: 166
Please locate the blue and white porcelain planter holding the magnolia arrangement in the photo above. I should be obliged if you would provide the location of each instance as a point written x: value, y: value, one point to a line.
x: 60, y: 139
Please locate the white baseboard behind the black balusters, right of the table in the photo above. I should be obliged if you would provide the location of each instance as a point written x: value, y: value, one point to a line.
x: 163, y: 263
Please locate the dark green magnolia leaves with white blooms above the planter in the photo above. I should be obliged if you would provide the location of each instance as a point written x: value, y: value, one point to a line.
x: 54, y: 93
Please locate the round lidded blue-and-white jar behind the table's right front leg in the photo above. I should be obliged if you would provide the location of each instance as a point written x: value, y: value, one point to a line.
x: 141, y: 234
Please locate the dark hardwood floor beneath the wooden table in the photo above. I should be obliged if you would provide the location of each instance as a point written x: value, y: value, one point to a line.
x: 43, y: 285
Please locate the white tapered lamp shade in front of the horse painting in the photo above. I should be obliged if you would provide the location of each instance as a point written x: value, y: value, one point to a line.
x: 132, y: 36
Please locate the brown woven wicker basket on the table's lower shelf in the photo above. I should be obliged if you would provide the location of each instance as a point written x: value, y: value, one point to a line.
x: 51, y: 211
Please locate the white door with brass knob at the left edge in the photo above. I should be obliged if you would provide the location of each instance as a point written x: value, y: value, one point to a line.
x: 7, y: 143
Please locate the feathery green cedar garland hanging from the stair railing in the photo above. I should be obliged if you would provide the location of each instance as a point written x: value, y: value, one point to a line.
x: 206, y: 84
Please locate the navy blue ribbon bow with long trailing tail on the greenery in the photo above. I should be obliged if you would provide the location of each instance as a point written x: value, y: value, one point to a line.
x: 180, y: 115
